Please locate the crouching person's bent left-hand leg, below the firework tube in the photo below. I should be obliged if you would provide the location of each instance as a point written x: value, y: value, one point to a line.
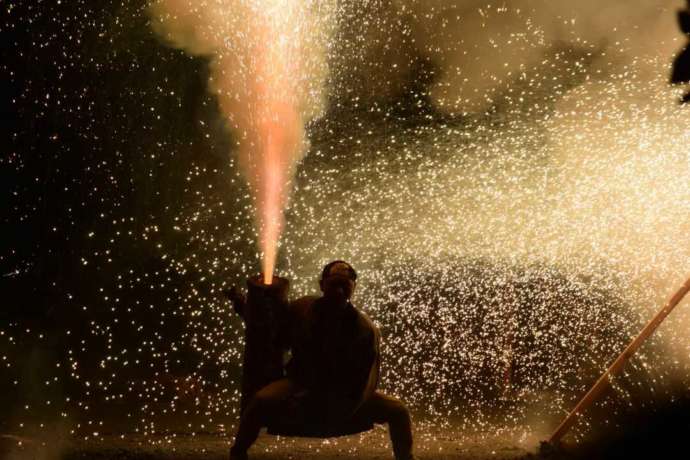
x: 261, y: 408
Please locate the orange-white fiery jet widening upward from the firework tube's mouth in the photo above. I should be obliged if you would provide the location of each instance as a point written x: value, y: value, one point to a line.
x: 268, y: 67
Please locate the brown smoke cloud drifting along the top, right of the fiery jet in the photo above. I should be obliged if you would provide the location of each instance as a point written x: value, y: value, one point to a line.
x: 480, y: 47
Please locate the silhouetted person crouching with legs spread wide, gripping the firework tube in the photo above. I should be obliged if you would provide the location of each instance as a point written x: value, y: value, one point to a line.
x: 329, y: 388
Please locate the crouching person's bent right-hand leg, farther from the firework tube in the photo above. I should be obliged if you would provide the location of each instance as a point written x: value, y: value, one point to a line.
x: 380, y: 408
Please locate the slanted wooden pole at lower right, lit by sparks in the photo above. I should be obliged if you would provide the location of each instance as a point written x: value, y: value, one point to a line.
x: 617, y: 365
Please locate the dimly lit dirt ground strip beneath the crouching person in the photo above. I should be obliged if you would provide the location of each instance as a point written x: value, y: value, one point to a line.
x: 374, y: 445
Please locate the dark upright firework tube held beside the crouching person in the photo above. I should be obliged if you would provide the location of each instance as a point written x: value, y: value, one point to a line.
x: 265, y: 318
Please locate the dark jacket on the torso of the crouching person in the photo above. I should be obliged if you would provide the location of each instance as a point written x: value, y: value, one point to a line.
x: 334, y: 357
